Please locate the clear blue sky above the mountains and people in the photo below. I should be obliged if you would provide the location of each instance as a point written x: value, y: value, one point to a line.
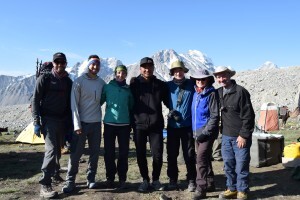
x: 241, y: 34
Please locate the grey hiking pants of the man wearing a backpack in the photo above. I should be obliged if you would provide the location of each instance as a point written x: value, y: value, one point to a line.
x: 53, y: 131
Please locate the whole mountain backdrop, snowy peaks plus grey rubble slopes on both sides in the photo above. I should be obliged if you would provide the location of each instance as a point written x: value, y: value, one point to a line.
x: 278, y: 85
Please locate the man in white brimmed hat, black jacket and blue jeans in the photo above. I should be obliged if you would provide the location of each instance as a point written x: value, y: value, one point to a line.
x: 237, y: 125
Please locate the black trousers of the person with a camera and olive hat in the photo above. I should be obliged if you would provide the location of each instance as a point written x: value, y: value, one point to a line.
x: 185, y: 135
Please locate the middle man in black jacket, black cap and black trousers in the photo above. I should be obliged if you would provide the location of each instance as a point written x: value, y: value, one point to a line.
x: 149, y: 92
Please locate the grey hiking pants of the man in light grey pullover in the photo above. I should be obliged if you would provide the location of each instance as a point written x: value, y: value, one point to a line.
x: 91, y: 132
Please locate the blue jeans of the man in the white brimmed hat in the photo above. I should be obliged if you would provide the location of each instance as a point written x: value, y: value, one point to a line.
x: 236, y: 163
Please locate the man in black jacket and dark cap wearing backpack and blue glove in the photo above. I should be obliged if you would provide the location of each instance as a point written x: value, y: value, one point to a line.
x: 51, y: 111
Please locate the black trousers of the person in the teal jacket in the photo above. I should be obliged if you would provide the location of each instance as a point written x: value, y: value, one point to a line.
x: 122, y: 133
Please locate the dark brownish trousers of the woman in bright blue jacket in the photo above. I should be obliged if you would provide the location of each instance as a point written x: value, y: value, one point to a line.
x: 205, y: 174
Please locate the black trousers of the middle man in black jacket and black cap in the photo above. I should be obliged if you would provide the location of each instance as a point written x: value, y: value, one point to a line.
x: 156, y: 146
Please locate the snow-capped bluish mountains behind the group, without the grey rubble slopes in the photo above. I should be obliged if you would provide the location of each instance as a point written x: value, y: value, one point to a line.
x: 18, y: 90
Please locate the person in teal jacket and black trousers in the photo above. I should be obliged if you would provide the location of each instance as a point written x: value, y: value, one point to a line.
x: 117, y: 120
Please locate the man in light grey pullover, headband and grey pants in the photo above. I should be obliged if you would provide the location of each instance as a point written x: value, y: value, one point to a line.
x: 86, y: 111
